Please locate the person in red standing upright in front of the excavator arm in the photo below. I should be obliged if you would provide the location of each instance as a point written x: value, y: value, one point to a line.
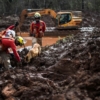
x: 37, y: 28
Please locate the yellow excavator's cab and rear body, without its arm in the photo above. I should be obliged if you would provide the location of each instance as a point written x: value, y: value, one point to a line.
x: 69, y: 20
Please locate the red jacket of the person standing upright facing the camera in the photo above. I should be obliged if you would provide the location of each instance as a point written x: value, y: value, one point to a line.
x: 41, y: 26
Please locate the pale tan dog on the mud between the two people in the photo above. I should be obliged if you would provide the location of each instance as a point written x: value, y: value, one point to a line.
x: 33, y: 52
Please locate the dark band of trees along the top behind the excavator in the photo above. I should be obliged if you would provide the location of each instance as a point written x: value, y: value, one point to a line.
x: 8, y: 7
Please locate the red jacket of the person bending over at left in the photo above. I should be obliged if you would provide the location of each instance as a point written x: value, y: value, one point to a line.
x: 10, y: 43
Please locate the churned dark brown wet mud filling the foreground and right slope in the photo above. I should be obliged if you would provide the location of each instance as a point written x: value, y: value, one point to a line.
x: 66, y: 70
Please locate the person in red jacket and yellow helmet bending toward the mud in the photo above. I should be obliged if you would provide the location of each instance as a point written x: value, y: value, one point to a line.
x: 5, y: 44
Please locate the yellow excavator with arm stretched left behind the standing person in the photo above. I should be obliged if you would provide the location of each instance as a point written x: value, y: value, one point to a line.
x: 64, y: 19
